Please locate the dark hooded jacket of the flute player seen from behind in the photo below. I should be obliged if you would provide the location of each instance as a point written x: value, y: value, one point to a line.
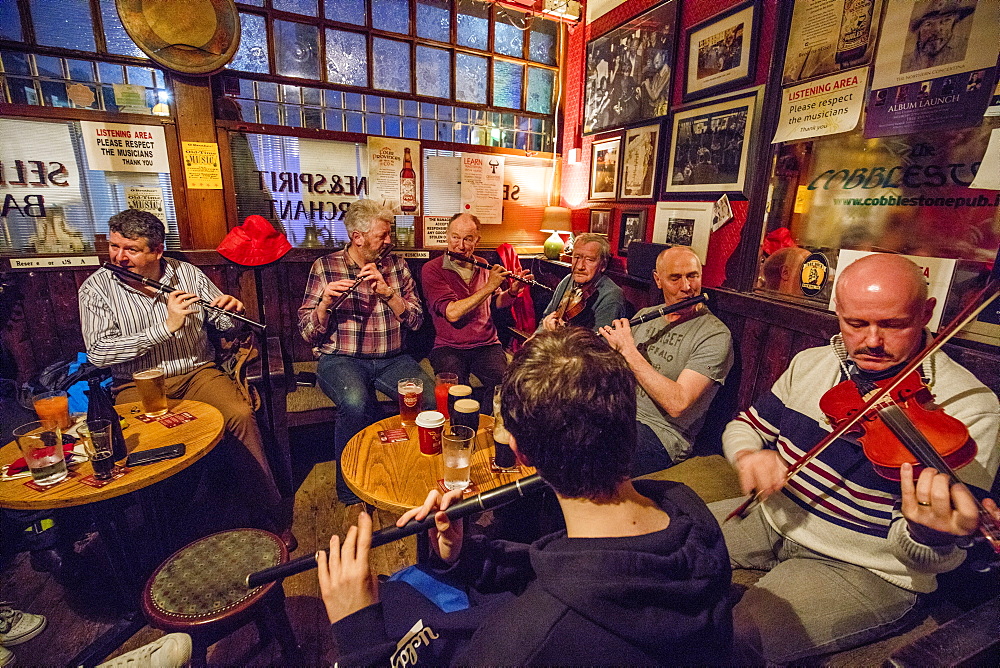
x: 657, y: 598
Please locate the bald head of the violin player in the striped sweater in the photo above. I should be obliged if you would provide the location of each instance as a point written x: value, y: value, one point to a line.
x: 882, y: 308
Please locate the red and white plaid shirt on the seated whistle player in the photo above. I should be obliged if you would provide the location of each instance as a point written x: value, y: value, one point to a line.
x: 364, y: 325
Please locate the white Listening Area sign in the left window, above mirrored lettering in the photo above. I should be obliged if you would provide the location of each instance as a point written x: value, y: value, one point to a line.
x: 119, y: 147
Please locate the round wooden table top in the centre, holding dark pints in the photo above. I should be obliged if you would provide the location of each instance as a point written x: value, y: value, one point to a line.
x: 396, y: 476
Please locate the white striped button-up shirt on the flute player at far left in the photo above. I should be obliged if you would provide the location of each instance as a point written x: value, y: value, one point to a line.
x: 126, y: 330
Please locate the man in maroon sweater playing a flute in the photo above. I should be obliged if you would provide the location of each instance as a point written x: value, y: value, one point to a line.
x: 459, y: 297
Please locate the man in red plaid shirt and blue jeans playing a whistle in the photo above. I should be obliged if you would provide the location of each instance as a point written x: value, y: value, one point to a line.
x: 359, y: 345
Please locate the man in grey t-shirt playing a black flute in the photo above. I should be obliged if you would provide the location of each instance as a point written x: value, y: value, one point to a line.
x: 679, y: 360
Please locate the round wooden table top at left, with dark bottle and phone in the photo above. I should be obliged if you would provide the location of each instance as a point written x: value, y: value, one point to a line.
x: 199, y: 436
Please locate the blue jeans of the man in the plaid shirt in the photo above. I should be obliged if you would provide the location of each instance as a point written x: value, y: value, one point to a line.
x: 351, y: 383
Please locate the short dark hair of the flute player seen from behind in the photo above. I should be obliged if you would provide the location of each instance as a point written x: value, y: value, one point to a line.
x: 569, y: 401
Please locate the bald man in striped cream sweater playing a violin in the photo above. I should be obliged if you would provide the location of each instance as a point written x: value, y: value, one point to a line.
x: 849, y: 553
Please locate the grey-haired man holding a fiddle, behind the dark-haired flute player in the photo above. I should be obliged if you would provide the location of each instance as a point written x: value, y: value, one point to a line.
x: 586, y: 297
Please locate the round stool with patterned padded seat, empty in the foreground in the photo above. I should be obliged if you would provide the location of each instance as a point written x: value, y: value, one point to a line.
x: 200, y: 591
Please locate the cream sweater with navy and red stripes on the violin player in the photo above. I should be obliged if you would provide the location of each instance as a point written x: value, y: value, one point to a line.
x: 837, y: 505
